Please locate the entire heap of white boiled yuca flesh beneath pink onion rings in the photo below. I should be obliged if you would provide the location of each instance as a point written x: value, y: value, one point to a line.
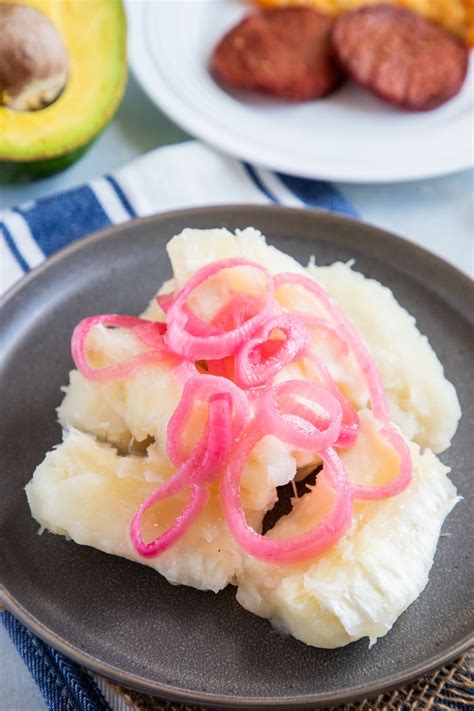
x: 90, y: 486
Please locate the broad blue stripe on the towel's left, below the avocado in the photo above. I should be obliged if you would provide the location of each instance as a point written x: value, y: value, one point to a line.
x: 56, y: 221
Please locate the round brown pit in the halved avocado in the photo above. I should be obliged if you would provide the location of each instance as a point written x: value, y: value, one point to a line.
x: 33, y: 58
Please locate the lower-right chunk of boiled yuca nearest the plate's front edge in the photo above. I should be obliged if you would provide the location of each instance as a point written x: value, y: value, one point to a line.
x: 363, y: 584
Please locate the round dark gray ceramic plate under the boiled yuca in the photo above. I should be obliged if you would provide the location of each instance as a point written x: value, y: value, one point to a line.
x: 125, y: 621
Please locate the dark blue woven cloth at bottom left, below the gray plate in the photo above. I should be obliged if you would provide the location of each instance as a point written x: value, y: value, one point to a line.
x: 64, y: 684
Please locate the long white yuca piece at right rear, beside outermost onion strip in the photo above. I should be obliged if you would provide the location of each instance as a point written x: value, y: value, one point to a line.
x: 422, y: 402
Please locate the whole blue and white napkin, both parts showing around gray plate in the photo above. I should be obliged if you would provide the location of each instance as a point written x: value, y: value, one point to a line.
x: 185, y: 175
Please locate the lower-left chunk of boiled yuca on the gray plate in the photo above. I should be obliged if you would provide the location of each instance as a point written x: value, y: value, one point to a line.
x: 86, y: 491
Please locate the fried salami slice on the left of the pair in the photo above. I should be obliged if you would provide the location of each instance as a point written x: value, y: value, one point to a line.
x: 285, y: 52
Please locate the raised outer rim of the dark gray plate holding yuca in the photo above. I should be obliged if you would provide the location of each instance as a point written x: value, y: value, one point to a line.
x: 169, y: 691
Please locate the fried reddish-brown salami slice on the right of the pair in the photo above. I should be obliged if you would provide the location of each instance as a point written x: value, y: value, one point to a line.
x: 400, y: 56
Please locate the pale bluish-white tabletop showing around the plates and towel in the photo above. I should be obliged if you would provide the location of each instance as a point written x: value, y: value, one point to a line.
x: 434, y: 213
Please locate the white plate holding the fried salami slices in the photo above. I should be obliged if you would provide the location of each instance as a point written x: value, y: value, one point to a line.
x: 349, y: 136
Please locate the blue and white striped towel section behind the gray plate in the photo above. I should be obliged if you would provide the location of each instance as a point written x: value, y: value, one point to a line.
x: 185, y: 175
